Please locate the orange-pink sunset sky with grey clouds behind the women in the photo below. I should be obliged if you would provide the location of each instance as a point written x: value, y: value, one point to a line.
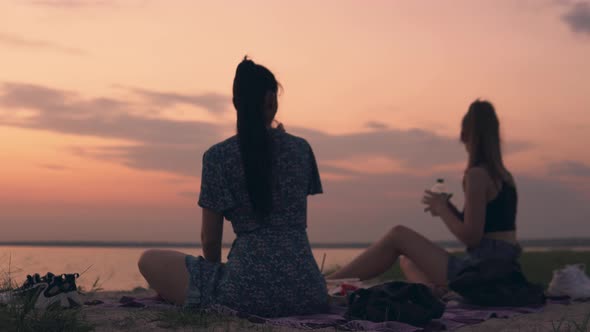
x: 106, y: 108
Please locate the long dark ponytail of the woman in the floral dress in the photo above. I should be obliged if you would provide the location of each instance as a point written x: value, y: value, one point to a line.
x: 252, y: 84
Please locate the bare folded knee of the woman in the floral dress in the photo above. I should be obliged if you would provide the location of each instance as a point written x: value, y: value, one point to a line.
x: 166, y: 273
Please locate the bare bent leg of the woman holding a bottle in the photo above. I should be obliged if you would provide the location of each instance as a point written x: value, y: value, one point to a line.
x: 378, y: 258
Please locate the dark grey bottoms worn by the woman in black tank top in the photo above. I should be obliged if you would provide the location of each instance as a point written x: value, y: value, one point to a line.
x: 487, y: 249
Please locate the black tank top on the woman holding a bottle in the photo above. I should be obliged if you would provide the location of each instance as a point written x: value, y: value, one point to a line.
x: 501, y: 211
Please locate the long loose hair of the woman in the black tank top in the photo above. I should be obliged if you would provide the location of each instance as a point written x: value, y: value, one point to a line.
x: 480, y: 131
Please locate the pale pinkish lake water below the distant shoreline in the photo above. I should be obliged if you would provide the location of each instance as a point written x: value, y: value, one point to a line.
x: 115, y: 268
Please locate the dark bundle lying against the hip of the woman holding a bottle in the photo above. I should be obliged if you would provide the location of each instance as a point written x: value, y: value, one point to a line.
x: 497, y: 283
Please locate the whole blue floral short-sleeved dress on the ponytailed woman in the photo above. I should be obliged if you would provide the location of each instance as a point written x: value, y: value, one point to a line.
x: 270, y: 270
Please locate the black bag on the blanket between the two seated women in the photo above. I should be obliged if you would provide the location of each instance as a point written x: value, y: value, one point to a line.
x: 395, y: 301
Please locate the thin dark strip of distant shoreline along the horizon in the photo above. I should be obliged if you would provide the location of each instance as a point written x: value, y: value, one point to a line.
x: 538, y: 243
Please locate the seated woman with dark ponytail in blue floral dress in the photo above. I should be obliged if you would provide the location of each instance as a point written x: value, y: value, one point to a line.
x: 259, y: 180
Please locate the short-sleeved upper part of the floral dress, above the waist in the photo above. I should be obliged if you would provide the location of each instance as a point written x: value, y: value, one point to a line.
x: 294, y: 176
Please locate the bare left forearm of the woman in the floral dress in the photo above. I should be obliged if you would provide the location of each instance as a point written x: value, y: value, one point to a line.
x: 211, y: 235
